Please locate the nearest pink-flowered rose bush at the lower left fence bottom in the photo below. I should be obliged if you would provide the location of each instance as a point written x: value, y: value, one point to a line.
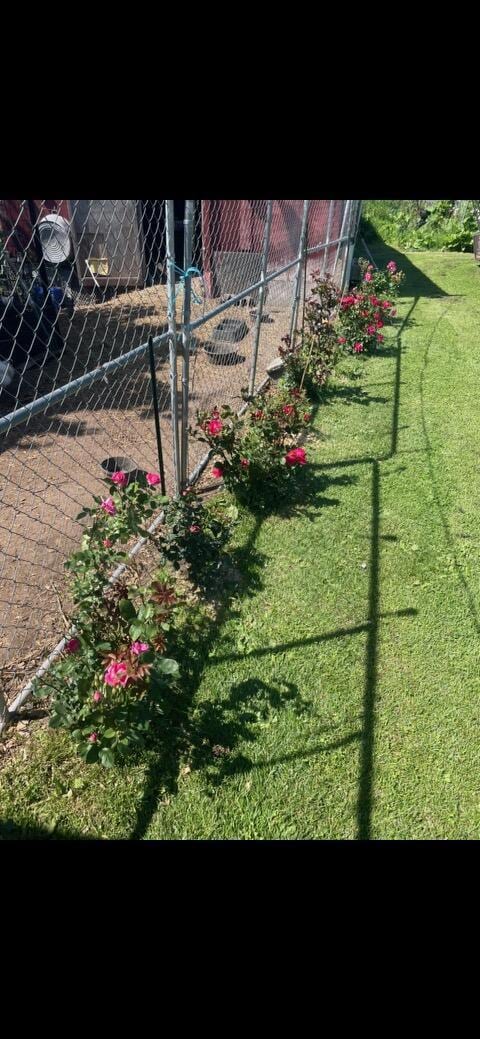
x: 114, y: 676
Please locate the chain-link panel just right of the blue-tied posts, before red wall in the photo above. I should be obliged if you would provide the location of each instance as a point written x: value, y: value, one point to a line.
x: 232, y: 255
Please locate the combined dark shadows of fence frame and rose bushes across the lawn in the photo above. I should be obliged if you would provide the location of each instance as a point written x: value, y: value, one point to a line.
x: 206, y: 735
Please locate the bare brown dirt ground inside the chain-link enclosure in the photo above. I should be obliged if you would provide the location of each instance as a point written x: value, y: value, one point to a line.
x: 50, y: 467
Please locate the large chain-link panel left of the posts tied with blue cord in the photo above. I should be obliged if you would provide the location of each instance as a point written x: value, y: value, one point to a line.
x: 83, y: 285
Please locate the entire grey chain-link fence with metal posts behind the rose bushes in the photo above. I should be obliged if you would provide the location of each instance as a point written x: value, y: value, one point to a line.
x: 85, y: 285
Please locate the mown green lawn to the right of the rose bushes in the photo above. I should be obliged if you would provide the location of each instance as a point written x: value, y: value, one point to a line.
x: 339, y: 700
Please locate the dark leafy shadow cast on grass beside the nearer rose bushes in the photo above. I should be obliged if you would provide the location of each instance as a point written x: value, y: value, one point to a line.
x: 204, y: 736
